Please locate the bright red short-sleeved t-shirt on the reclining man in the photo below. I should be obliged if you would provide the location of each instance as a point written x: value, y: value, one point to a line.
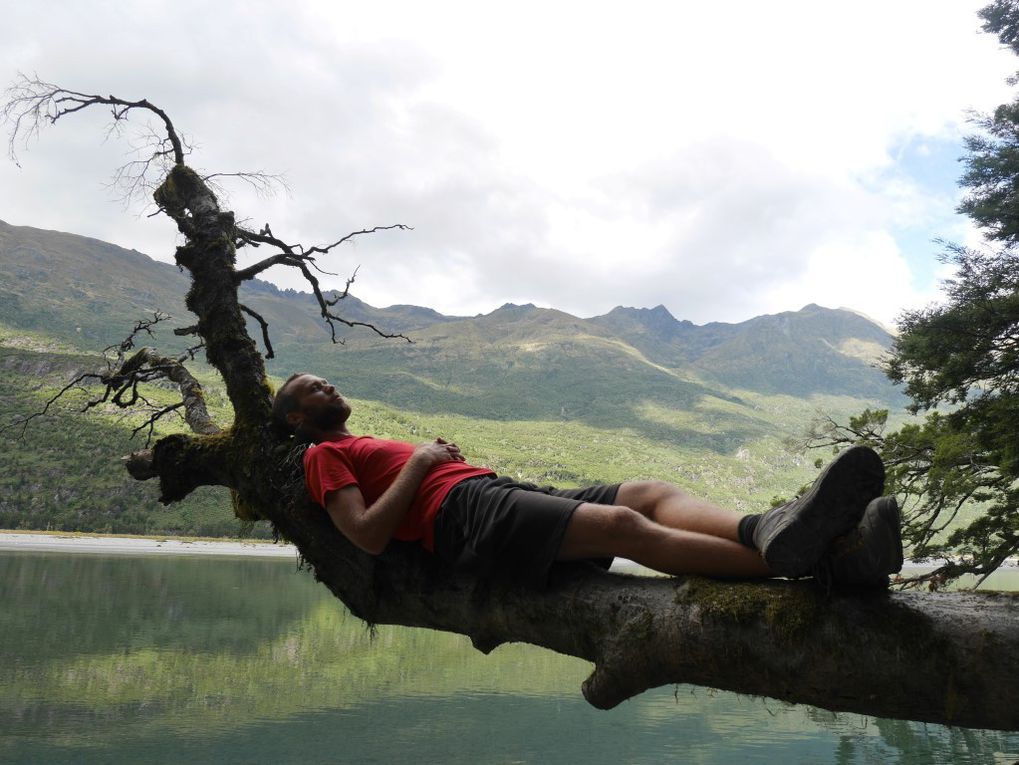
x: 372, y: 465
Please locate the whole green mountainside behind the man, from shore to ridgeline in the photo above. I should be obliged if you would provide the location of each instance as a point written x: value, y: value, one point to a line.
x: 532, y: 393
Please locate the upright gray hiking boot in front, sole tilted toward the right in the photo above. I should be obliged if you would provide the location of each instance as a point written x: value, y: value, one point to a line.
x: 794, y: 537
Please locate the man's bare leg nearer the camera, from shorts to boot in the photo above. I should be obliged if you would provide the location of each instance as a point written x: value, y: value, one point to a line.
x: 601, y: 531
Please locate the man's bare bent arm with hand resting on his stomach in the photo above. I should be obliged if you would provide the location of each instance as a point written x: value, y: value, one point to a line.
x: 372, y: 528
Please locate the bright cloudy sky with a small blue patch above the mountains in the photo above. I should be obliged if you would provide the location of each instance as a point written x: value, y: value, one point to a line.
x: 724, y: 159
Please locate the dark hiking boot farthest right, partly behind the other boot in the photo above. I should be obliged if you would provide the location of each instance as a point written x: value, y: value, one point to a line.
x: 870, y: 554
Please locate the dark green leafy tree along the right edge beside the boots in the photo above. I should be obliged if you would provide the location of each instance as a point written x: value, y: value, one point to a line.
x: 959, y: 364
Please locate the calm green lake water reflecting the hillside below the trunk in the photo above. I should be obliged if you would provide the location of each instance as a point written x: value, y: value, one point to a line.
x: 230, y: 661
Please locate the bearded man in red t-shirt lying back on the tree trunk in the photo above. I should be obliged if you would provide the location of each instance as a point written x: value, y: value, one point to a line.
x: 376, y: 490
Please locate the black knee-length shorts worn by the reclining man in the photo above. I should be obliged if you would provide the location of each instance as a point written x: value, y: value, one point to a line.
x: 499, y: 527
